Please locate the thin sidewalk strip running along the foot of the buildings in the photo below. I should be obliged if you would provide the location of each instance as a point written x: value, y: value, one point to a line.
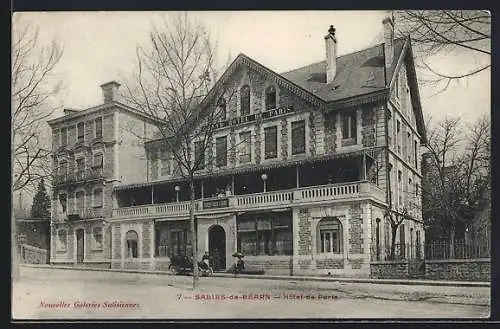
x: 282, y: 277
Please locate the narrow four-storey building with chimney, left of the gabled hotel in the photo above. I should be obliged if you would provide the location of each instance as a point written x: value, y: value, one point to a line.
x: 93, y: 150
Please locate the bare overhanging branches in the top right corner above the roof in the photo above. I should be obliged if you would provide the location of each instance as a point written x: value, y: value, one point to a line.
x: 444, y: 32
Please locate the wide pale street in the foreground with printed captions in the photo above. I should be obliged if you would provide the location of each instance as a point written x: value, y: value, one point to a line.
x: 44, y: 293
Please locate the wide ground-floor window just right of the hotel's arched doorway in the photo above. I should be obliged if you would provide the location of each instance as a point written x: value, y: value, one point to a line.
x: 267, y: 234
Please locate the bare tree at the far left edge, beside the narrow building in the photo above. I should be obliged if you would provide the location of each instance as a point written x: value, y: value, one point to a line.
x: 34, y: 87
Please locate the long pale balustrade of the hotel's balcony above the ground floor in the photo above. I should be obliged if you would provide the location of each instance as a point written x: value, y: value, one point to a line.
x: 257, y: 201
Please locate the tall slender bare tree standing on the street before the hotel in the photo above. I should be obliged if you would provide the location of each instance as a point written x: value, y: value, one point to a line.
x: 174, y: 84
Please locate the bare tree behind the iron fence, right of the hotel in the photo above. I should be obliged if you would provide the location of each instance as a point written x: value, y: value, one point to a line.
x: 457, y: 181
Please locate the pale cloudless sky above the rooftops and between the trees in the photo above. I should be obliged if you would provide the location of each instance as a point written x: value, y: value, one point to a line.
x: 100, y: 47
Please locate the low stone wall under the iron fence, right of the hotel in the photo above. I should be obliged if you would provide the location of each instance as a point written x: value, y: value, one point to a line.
x: 459, y: 269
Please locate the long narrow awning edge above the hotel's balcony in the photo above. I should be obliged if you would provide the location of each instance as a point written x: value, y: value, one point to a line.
x: 256, y: 168
